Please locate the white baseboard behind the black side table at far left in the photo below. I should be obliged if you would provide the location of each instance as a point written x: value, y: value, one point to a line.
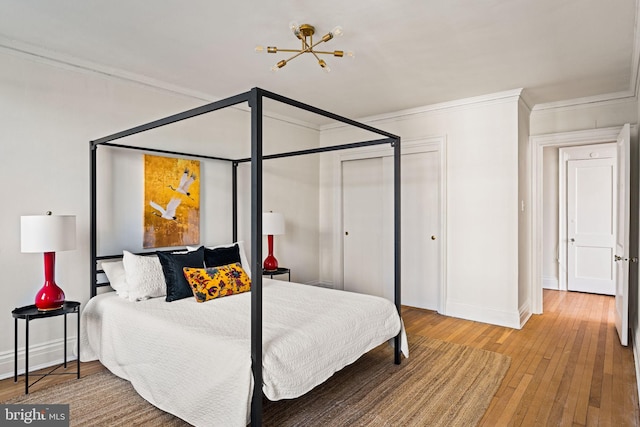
x: 40, y: 356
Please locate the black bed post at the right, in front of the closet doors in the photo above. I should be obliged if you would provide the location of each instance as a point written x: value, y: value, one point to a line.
x: 397, y: 219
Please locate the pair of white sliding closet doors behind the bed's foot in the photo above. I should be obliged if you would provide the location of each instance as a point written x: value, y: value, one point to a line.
x: 368, y: 227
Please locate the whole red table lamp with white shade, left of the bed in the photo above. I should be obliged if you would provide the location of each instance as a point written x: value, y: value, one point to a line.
x: 48, y: 234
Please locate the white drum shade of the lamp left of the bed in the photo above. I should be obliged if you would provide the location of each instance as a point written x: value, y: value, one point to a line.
x: 48, y: 233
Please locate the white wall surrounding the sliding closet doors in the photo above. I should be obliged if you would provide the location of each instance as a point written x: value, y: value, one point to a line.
x: 481, y: 204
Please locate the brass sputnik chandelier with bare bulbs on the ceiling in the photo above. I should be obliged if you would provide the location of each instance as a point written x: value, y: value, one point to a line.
x: 305, y: 33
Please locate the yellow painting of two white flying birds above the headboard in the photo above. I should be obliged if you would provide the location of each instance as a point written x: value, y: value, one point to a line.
x: 171, y: 202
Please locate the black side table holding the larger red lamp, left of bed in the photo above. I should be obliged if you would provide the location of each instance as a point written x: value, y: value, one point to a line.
x: 29, y: 313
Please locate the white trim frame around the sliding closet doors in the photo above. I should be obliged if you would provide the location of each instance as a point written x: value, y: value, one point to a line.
x: 409, y: 146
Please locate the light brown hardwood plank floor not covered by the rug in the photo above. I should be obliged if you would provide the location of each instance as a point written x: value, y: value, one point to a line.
x: 567, y: 366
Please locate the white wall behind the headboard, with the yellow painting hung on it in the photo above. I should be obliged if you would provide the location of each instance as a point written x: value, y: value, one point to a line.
x: 48, y: 115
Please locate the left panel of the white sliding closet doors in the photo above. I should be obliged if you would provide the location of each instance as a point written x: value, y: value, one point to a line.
x: 362, y: 206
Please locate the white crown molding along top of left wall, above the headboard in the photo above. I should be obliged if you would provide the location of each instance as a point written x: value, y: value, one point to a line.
x: 68, y: 62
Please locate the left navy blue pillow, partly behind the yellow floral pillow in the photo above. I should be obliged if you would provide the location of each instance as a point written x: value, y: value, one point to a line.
x: 172, y: 265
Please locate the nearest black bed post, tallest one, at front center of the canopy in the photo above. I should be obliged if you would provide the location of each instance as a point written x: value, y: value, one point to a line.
x: 255, y: 102
